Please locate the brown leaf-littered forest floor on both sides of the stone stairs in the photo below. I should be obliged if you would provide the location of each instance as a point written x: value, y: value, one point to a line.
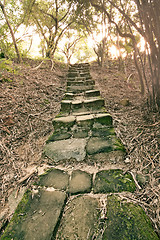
x: 31, y: 98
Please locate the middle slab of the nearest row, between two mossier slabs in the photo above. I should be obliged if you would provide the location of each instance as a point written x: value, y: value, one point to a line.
x: 80, y: 219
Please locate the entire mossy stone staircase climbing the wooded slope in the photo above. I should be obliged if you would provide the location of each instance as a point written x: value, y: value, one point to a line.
x: 85, y: 193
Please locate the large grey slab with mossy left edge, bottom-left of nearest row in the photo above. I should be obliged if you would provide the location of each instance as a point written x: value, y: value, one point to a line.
x: 36, y: 216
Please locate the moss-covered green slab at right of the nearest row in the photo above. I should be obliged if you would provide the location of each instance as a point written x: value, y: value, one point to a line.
x: 127, y: 221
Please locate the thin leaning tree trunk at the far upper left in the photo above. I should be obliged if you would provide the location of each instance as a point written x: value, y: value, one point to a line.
x: 11, y: 31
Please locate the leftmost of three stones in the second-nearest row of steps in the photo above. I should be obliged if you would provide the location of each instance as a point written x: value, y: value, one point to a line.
x: 55, y: 178
